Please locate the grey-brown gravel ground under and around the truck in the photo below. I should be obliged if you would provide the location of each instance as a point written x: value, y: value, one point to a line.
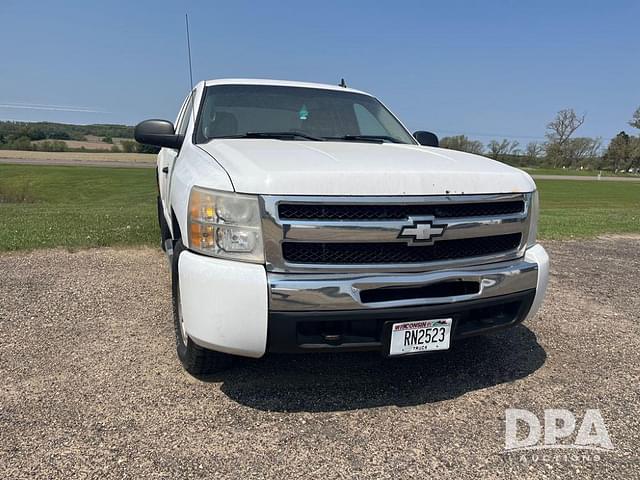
x: 91, y: 387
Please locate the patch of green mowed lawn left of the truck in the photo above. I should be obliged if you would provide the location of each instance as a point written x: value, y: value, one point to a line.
x: 45, y: 206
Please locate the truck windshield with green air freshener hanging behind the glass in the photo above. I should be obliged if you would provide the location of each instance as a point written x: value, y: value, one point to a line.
x: 295, y: 113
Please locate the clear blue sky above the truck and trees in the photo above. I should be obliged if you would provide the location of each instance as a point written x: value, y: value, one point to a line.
x: 485, y: 69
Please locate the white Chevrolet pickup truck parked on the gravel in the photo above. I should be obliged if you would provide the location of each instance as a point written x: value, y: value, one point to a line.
x: 305, y: 217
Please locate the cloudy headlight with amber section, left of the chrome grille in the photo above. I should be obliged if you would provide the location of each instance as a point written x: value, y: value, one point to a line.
x: 225, y: 225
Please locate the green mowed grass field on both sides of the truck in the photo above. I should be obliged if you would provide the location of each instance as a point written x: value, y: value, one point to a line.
x: 74, y: 207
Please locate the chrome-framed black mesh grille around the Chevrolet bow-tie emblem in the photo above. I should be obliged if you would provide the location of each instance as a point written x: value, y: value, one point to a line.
x: 338, y: 234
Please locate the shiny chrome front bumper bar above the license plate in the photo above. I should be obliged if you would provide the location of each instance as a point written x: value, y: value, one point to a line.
x: 306, y: 292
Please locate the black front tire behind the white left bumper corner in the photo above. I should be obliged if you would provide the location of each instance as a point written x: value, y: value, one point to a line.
x: 195, y: 359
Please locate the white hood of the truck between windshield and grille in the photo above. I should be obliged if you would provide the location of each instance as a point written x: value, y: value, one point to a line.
x: 285, y: 167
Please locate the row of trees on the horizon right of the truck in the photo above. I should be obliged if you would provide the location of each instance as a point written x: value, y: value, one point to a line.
x: 561, y: 149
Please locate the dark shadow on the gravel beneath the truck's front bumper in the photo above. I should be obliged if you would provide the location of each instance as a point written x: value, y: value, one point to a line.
x: 340, y: 382
